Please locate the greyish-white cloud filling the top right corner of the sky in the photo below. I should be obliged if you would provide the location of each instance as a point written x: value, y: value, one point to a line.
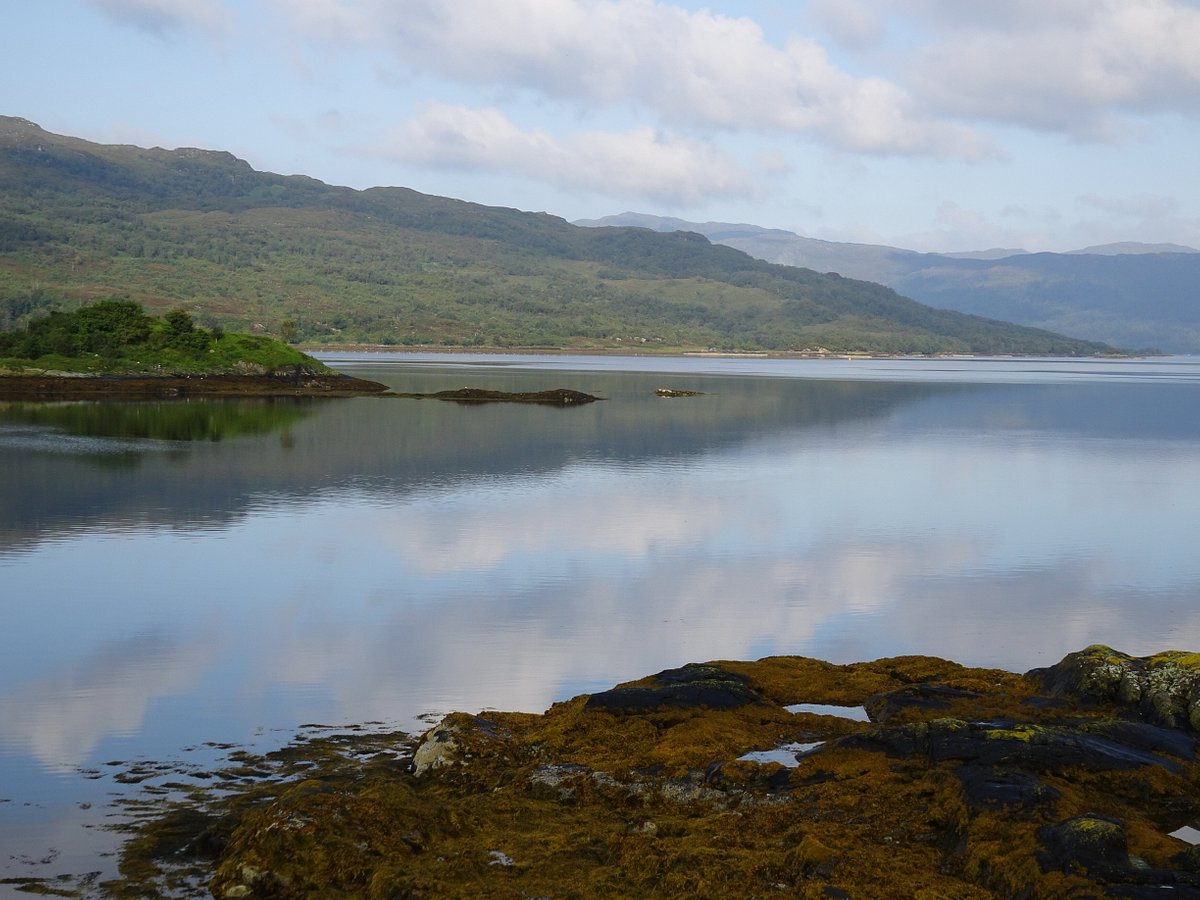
x: 1066, y: 67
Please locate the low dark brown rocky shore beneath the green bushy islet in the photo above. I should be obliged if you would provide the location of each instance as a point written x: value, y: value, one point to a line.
x: 143, y: 387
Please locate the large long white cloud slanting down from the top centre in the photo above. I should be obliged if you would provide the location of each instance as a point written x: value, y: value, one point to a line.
x: 688, y: 70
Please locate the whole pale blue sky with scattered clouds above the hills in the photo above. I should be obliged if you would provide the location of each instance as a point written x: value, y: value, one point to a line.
x: 934, y: 125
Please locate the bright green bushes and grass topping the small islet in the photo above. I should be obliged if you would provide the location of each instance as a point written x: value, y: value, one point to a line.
x: 118, y: 337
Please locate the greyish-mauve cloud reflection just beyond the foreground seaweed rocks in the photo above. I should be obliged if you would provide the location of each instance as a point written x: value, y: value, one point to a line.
x: 533, y: 645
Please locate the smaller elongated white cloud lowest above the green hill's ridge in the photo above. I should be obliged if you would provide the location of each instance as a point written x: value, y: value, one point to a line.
x: 640, y: 164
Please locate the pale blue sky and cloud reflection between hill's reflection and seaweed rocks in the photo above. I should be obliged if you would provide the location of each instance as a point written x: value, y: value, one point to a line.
x: 519, y: 586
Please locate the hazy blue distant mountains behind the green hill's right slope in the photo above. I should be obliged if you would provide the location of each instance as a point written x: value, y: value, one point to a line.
x: 1135, y: 296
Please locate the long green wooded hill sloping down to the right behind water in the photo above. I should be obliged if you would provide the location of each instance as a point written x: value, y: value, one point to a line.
x: 291, y: 256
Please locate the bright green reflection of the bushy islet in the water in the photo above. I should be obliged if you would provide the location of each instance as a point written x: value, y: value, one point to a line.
x: 166, y: 421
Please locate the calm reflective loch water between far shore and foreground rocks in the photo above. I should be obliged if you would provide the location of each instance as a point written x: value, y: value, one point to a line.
x: 227, y: 572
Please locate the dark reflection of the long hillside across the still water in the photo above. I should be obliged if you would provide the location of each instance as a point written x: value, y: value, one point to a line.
x: 392, y: 448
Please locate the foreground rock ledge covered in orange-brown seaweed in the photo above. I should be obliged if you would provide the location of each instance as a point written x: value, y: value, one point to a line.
x: 967, y: 783
